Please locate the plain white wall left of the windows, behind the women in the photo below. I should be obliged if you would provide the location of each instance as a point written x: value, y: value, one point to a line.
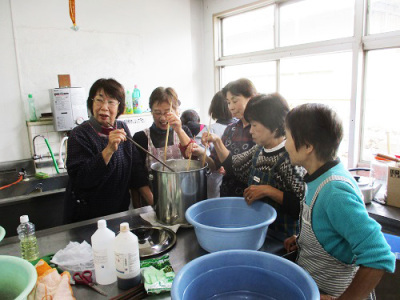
x: 150, y: 43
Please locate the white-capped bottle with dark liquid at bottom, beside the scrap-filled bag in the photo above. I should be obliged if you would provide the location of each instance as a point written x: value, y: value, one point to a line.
x: 127, y: 262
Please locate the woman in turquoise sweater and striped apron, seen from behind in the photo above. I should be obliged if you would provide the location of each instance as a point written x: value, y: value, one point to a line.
x: 341, y: 247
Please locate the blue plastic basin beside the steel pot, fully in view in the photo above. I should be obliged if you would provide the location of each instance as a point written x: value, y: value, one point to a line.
x: 229, y: 223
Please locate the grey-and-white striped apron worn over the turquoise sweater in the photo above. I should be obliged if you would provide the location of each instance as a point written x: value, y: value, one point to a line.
x: 331, y: 275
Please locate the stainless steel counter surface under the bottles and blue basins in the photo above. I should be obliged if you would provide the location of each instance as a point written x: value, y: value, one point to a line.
x: 54, y: 239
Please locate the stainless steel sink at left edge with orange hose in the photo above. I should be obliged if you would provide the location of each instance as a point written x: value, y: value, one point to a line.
x: 31, y: 187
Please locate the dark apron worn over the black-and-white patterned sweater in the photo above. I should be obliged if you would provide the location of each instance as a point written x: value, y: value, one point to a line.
x: 284, y: 225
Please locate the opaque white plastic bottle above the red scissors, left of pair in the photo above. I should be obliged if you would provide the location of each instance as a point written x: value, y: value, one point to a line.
x: 103, y: 254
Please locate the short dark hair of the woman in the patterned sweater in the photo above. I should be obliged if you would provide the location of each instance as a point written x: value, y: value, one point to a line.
x: 270, y: 110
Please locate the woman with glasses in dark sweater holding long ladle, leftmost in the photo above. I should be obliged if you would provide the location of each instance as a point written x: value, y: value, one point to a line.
x: 102, y: 165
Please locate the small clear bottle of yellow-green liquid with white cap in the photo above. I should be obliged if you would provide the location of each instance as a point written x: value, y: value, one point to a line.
x: 28, y: 241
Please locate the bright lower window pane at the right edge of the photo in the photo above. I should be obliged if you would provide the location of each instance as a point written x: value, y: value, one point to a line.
x: 381, y: 130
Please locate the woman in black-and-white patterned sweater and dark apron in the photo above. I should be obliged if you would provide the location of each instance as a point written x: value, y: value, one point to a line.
x: 265, y: 168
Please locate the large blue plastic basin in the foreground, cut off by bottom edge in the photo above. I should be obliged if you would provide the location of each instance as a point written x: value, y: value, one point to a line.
x: 243, y: 274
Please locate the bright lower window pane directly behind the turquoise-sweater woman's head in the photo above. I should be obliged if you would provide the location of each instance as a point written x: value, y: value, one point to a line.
x: 324, y: 78
